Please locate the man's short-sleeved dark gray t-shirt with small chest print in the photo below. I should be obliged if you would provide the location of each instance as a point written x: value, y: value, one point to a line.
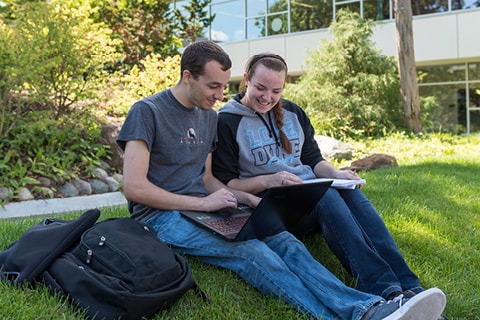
x: 179, y: 141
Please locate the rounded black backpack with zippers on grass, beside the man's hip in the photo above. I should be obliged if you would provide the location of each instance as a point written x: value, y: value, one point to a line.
x: 119, y: 269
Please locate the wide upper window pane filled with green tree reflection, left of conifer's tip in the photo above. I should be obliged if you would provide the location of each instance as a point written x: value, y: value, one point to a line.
x: 310, y: 15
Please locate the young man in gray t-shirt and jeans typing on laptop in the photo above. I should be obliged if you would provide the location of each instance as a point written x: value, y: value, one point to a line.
x: 168, y: 139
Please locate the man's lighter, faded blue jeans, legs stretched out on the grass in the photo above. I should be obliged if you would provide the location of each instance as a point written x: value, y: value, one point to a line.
x: 278, y: 266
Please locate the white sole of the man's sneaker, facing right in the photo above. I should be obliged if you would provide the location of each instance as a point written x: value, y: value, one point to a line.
x: 426, y: 305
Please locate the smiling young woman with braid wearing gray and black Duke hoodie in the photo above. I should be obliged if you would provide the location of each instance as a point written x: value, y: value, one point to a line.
x: 266, y: 141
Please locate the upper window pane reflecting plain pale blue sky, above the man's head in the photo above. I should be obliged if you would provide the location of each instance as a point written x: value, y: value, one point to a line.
x: 228, y: 24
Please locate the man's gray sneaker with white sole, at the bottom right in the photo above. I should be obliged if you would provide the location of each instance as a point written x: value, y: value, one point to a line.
x: 426, y: 305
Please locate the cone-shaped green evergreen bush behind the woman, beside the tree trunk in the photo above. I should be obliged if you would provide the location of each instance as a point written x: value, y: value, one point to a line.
x: 349, y: 89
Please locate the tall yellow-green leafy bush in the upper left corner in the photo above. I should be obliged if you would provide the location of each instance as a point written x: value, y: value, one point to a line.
x: 59, y: 53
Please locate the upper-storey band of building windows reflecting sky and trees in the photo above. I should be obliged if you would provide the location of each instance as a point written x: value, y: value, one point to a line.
x: 237, y: 20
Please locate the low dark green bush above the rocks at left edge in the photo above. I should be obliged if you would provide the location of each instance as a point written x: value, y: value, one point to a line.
x: 59, y: 149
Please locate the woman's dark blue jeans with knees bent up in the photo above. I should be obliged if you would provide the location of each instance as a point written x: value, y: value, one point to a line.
x: 357, y: 235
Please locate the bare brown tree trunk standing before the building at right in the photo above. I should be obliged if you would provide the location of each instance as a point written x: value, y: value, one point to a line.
x: 406, y: 65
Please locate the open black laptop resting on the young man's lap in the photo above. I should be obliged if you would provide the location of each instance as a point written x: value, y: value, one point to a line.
x: 281, y: 208
